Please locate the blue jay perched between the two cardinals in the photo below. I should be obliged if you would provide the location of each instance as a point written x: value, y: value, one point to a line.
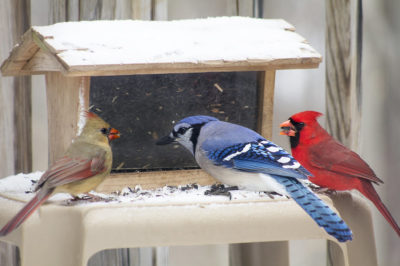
x: 238, y: 156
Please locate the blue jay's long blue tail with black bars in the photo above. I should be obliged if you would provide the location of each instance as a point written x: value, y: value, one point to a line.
x: 317, y: 209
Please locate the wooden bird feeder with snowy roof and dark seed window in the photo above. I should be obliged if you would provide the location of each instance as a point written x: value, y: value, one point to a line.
x: 143, y: 75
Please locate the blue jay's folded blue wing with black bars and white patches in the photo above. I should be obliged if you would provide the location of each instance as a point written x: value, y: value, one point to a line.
x: 259, y: 156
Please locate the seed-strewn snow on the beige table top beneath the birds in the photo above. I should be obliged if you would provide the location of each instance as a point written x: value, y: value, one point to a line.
x: 20, y: 187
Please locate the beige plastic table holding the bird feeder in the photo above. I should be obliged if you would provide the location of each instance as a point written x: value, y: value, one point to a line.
x: 70, y: 235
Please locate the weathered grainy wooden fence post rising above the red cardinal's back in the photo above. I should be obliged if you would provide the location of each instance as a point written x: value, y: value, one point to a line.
x: 343, y: 70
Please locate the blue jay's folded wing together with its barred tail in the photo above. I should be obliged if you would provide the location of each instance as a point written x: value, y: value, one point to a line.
x: 265, y: 157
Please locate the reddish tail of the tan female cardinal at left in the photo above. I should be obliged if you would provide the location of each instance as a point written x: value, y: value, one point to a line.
x: 26, y: 211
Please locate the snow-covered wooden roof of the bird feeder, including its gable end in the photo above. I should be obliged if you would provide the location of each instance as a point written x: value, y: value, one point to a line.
x: 94, y: 48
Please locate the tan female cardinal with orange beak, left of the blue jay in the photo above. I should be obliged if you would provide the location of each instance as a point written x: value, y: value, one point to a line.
x: 86, y: 163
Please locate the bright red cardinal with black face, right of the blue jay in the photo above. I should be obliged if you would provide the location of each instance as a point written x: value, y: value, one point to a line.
x: 332, y: 165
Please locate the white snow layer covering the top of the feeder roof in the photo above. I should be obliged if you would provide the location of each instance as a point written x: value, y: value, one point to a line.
x: 182, y: 41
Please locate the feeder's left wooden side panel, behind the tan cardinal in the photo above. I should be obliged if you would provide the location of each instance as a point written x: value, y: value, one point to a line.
x: 66, y: 97
